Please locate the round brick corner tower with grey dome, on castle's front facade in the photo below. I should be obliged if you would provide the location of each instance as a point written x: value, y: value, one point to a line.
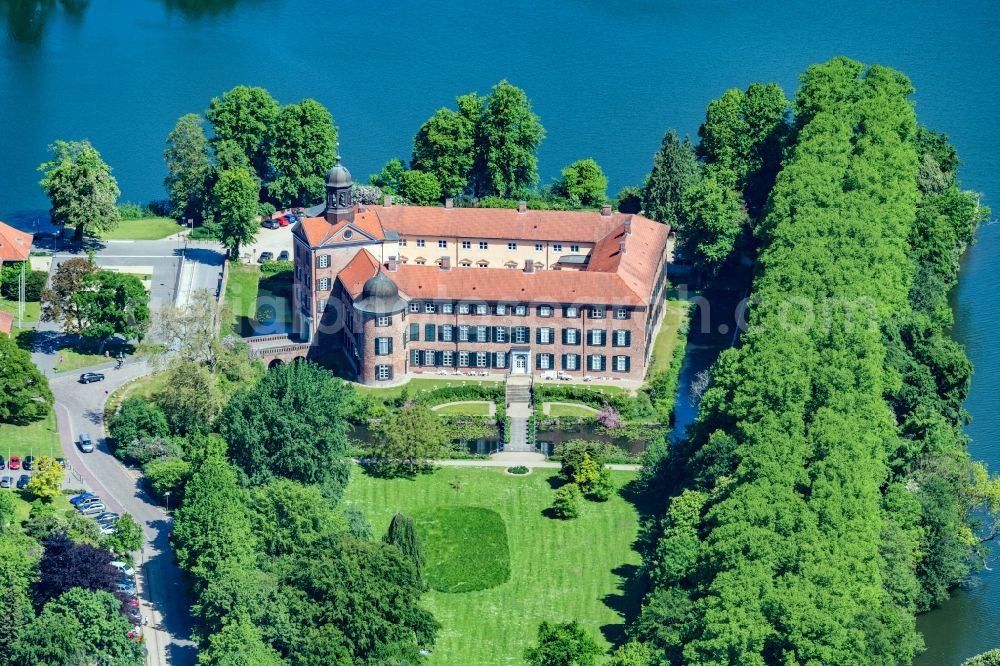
x: 382, y: 356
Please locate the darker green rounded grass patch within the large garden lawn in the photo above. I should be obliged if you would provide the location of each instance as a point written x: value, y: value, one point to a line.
x: 465, y: 548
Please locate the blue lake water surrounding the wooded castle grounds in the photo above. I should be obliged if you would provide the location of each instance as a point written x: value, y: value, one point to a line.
x: 606, y: 78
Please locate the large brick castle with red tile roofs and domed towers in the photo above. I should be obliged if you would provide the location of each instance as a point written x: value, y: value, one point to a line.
x: 402, y: 290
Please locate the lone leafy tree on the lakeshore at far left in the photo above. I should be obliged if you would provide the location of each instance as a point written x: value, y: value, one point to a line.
x: 83, y: 192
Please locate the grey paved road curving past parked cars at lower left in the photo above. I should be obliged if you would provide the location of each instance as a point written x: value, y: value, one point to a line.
x: 80, y: 408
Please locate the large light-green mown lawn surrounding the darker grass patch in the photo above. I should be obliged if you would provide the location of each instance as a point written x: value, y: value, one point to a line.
x: 559, y: 570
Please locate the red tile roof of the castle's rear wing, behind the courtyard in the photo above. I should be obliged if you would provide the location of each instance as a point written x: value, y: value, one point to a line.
x: 501, y: 223
